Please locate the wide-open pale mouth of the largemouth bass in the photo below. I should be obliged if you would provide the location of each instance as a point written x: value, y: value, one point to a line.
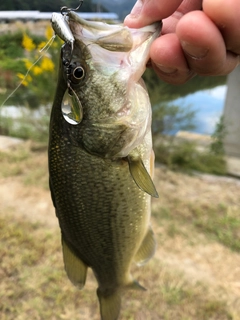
x: 110, y: 42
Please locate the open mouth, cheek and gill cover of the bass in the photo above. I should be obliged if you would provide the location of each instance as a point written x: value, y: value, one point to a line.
x: 117, y: 55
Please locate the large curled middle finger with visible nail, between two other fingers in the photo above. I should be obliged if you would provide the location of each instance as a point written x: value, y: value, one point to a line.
x: 204, y: 46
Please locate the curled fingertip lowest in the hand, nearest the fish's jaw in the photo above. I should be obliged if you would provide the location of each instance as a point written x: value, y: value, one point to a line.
x: 168, y: 60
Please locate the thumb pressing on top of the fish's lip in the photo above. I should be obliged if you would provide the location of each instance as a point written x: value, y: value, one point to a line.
x: 146, y: 12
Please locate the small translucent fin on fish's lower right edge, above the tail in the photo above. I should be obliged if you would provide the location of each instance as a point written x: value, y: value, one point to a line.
x: 147, y: 248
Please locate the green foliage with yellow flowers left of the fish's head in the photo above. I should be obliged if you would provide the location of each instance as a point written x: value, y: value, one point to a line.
x: 18, y: 53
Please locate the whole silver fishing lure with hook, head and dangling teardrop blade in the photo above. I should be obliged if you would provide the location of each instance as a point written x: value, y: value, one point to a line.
x: 71, y: 106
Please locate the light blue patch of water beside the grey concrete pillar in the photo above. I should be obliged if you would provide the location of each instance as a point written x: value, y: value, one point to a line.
x: 208, y: 104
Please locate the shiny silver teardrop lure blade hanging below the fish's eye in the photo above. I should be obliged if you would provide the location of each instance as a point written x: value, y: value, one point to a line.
x: 72, y: 110
